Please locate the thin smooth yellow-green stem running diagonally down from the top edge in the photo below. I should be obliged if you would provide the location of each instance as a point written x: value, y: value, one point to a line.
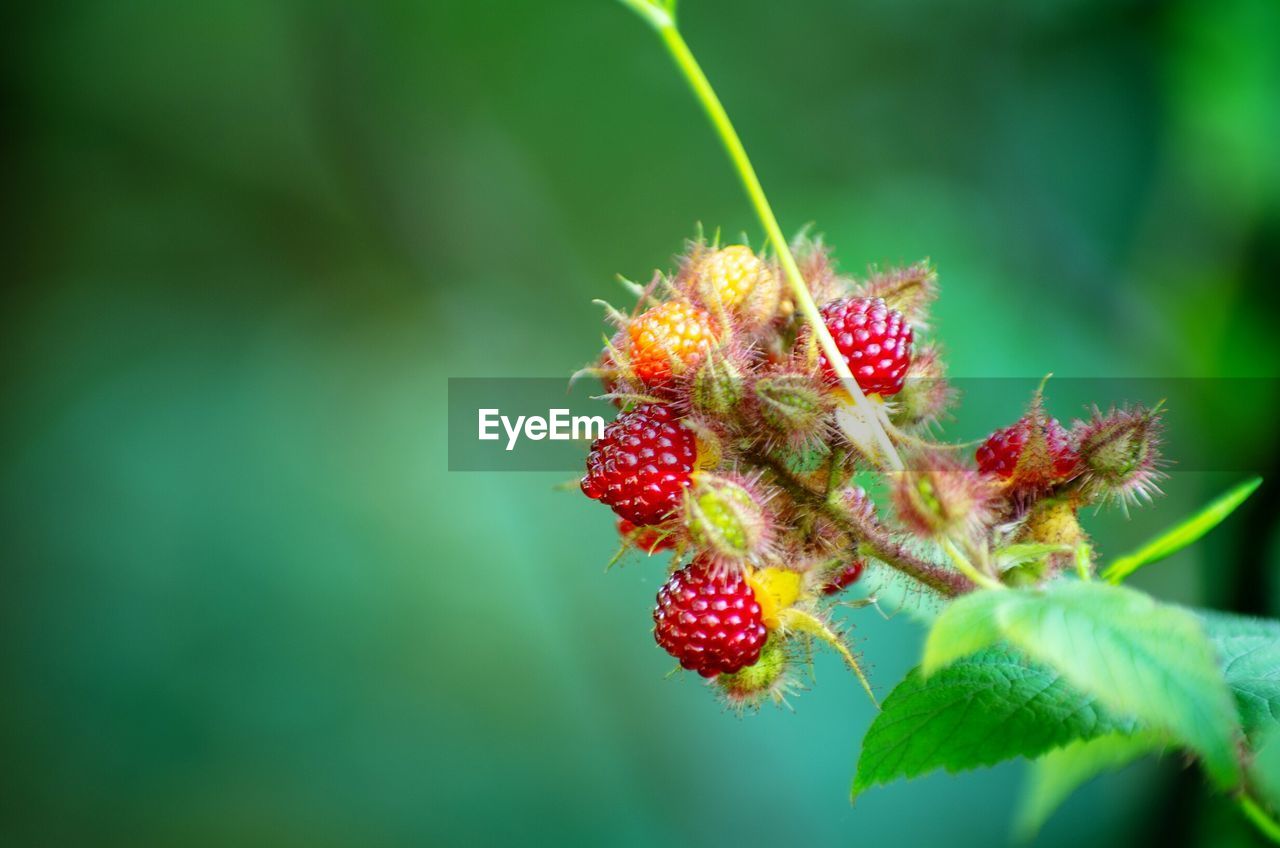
x: 661, y: 17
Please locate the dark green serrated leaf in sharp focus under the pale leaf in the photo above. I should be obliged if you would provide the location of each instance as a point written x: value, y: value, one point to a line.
x: 980, y: 712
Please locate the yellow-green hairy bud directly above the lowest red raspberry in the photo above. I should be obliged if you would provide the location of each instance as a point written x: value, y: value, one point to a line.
x: 726, y: 521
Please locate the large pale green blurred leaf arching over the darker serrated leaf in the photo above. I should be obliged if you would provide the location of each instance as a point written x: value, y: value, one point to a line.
x: 1139, y: 658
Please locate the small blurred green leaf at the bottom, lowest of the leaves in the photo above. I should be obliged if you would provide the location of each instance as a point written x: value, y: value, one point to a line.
x: 1058, y: 774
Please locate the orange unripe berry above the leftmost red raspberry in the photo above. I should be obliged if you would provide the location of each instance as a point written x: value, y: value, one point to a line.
x: 668, y: 341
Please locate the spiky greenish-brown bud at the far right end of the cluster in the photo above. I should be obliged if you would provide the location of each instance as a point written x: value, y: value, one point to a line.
x: 1121, y: 455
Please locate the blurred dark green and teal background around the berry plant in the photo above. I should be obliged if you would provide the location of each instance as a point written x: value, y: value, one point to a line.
x: 244, y: 600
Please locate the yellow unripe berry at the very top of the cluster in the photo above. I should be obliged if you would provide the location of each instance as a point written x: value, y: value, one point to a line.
x: 739, y: 282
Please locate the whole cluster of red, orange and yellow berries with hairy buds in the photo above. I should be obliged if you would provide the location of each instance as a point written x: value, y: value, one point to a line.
x: 738, y: 444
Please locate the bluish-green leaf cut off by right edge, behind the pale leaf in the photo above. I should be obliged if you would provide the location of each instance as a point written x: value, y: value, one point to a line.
x: 1249, y: 651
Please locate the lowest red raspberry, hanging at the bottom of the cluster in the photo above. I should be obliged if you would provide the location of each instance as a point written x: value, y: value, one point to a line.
x: 712, y: 624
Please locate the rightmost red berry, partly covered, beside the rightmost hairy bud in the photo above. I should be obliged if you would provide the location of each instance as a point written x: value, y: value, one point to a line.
x: 1032, y: 455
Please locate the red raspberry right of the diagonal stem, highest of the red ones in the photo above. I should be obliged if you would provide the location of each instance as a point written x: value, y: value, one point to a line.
x: 875, y: 340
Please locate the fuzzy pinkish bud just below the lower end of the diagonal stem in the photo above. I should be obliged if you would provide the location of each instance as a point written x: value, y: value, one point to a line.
x: 938, y: 496
